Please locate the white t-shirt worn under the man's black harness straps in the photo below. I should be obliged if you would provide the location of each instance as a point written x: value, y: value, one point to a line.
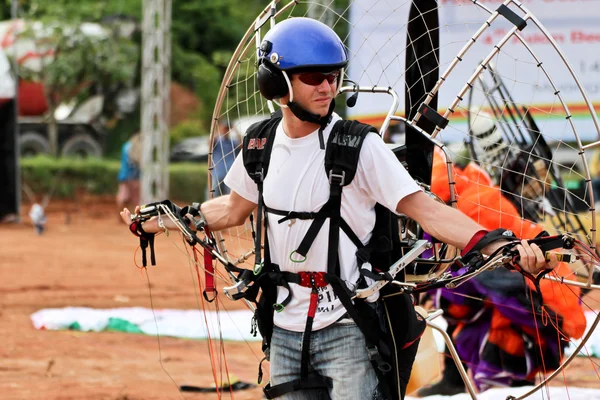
x: 297, y: 181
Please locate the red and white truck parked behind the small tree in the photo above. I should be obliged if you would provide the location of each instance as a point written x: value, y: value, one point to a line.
x: 79, y: 123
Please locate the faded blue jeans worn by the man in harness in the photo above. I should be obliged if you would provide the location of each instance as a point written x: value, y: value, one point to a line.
x: 338, y: 352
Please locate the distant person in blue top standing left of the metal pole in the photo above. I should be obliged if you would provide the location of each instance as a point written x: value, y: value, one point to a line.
x: 129, y: 172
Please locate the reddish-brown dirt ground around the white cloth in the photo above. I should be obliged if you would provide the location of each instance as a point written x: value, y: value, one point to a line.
x: 85, y: 259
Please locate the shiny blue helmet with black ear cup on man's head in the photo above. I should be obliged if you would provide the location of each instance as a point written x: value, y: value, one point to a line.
x: 293, y: 45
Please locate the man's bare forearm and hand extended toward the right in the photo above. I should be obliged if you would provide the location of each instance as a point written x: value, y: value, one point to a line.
x: 455, y: 228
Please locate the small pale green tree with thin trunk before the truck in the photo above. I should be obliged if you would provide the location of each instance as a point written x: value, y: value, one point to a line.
x: 79, y: 56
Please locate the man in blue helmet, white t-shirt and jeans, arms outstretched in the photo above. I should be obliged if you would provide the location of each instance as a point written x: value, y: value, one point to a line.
x: 301, y: 68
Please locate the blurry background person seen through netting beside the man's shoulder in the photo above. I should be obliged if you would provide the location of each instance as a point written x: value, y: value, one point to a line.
x: 224, y: 149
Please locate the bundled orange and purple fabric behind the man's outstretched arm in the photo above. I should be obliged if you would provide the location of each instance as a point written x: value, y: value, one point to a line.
x: 492, y: 313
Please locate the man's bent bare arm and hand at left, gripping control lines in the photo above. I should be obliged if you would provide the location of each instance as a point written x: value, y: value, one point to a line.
x: 220, y: 213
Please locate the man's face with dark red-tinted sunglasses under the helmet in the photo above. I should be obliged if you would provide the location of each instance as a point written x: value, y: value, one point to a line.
x: 314, y: 91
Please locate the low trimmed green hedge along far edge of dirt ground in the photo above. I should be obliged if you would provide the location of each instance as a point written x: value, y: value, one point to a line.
x: 65, y: 177
